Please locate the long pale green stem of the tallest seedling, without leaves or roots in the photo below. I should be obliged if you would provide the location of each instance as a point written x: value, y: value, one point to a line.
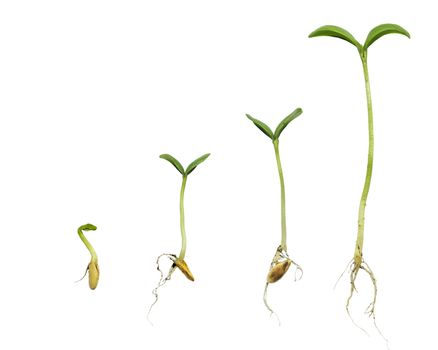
x: 363, y: 200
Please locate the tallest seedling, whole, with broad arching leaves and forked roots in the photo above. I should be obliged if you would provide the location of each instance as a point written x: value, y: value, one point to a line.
x: 358, y: 262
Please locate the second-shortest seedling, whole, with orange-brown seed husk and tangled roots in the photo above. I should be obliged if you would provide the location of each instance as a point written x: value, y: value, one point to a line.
x: 177, y: 261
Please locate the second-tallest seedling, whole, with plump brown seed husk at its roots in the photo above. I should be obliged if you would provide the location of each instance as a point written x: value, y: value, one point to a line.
x: 281, y: 261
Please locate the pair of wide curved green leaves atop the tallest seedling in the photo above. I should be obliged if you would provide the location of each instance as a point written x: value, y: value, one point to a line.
x: 373, y: 35
